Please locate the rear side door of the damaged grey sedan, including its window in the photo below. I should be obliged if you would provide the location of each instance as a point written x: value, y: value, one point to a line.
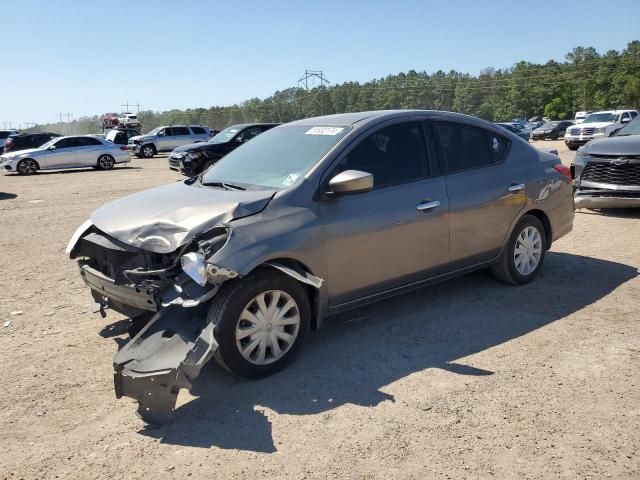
x: 486, y: 192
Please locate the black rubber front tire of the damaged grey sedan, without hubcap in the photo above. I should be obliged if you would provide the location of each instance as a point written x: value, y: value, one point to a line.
x: 227, y: 306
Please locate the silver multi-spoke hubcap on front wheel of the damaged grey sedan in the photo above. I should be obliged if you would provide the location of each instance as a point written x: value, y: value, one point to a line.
x: 268, y: 327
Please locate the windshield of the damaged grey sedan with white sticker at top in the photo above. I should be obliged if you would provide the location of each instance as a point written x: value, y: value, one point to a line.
x: 276, y: 158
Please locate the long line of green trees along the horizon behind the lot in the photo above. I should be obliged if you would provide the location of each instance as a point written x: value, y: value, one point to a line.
x: 586, y: 80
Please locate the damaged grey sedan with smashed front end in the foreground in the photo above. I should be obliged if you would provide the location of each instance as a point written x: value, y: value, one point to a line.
x: 308, y: 219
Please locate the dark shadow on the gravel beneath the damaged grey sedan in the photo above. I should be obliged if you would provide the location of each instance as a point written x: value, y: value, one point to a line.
x: 358, y: 353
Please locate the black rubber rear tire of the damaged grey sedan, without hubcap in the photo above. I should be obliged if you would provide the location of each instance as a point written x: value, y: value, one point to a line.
x: 504, y: 269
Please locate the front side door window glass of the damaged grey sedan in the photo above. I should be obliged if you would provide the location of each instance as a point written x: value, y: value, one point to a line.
x: 393, y: 155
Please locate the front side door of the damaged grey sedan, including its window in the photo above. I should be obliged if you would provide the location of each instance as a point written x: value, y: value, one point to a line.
x: 397, y: 233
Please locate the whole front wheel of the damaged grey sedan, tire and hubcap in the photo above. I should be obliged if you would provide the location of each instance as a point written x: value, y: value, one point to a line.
x: 261, y: 322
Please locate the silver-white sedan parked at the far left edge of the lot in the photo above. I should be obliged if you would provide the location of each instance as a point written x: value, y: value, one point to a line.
x: 65, y: 152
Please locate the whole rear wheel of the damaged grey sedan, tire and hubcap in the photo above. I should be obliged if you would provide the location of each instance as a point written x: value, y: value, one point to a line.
x: 523, y: 255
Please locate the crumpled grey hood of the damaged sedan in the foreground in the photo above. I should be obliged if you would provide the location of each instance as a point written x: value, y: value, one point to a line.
x: 164, y: 218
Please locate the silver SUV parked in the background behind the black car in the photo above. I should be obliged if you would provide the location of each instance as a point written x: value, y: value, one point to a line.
x: 165, y: 139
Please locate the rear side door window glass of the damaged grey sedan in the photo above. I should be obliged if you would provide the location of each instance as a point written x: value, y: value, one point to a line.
x: 468, y: 147
